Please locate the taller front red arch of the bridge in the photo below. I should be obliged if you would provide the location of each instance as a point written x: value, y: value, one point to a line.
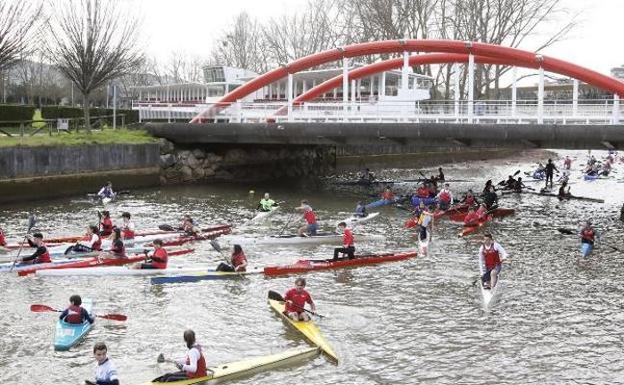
x: 515, y: 56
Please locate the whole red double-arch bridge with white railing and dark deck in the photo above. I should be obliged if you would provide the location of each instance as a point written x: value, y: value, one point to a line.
x: 300, y: 119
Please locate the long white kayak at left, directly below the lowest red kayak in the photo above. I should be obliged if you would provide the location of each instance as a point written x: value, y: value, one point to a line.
x: 122, y: 271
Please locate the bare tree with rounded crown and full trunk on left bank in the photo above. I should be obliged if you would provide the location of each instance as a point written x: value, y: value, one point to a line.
x: 92, y: 44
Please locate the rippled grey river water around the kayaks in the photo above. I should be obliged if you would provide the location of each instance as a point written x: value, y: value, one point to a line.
x: 557, y: 320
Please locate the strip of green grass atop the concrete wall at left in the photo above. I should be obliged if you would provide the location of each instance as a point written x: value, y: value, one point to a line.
x: 108, y: 136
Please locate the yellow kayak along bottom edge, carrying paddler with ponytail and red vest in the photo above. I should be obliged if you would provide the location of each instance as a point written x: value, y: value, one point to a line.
x: 225, y: 372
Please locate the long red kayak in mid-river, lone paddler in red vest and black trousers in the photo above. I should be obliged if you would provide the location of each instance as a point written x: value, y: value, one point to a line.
x: 306, y: 265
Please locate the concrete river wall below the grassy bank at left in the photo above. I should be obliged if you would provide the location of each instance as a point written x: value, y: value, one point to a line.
x: 28, y: 173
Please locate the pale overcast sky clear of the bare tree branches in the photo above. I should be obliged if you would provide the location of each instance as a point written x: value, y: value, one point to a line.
x: 191, y: 26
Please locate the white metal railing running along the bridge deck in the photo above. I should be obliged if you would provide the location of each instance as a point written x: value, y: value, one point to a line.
x: 487, y: 111
